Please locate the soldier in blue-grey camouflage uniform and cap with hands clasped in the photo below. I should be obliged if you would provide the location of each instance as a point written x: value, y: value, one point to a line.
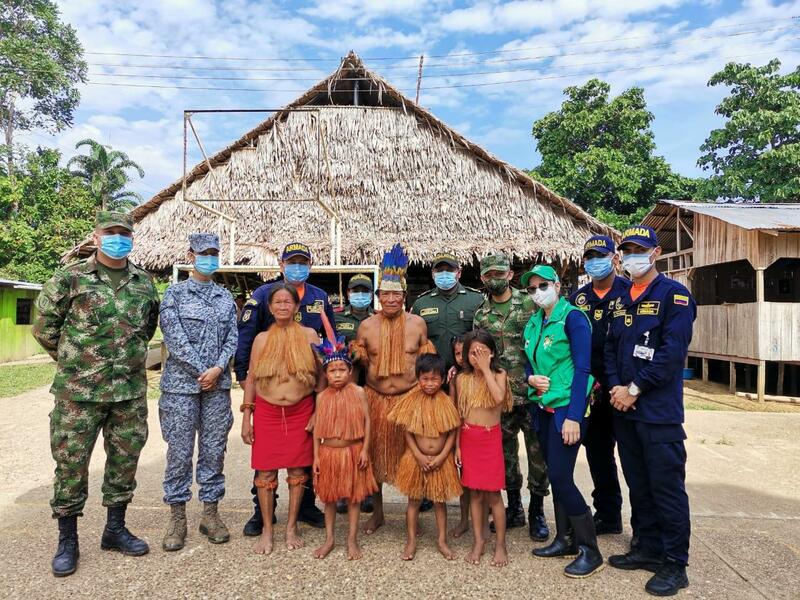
x: 198, y: 320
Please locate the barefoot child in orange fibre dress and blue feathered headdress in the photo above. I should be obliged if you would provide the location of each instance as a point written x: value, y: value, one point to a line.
x: 341, y: 447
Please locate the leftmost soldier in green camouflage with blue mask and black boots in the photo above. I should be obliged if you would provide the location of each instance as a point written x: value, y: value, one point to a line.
x: 95, y: 318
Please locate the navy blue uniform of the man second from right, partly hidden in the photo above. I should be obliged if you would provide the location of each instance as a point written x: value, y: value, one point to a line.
x: 599, y: 439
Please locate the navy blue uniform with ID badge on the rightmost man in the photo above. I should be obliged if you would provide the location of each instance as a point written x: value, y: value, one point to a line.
x: 648, y: 340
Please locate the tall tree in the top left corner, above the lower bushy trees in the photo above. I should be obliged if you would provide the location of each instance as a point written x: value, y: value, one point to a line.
x: 41, y: 61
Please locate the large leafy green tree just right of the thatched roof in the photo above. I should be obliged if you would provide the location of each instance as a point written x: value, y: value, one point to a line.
x: 599, y: 151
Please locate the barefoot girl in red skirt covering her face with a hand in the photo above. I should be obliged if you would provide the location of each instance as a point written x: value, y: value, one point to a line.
x: 482, y: 393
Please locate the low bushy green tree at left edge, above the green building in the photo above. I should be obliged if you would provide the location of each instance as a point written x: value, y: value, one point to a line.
x: 44, y: 211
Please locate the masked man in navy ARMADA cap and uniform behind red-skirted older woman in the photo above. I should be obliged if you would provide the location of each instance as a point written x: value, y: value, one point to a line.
x: 256, y: 317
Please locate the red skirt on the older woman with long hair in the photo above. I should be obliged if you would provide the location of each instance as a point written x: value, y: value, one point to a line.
x: 281, y: 440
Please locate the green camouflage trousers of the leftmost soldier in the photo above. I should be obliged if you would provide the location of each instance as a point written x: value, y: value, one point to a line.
x: 74, y: 427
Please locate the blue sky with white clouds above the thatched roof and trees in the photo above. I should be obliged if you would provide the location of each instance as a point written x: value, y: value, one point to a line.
x: 549, y: 43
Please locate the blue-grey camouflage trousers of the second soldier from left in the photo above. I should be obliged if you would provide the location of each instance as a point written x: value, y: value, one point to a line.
x: 208, y: 417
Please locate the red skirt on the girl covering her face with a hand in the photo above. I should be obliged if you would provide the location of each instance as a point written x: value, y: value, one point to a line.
x: 483, y: 466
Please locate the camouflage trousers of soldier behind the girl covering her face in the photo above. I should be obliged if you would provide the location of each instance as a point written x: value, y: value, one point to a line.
x: 519, y: 419
